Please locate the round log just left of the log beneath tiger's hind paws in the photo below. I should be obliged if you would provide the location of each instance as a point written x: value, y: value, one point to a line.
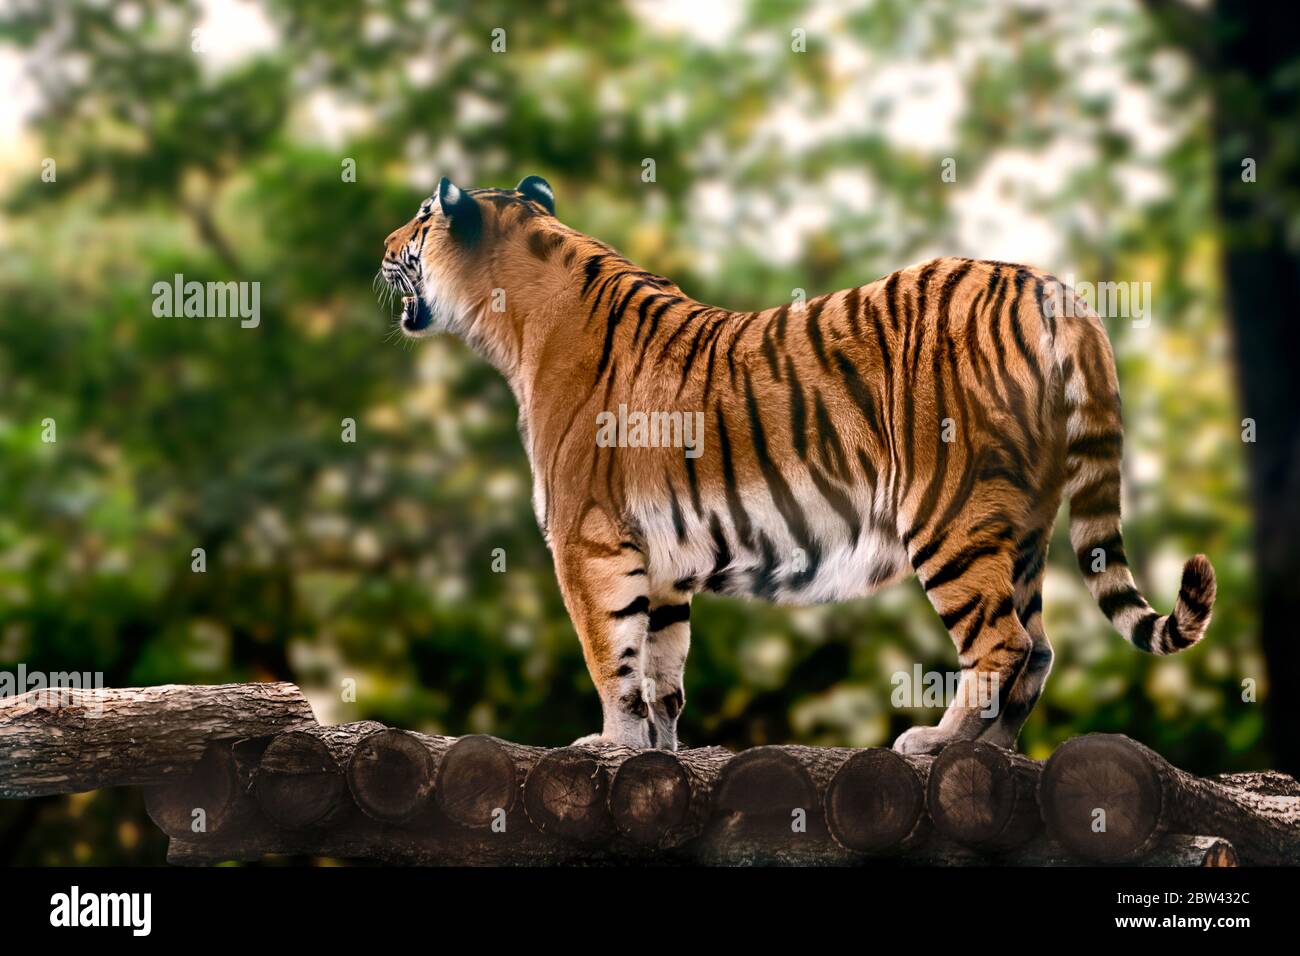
x: 877, y: 801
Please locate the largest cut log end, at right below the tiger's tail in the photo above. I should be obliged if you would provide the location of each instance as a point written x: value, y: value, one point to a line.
x: 1102, y: 798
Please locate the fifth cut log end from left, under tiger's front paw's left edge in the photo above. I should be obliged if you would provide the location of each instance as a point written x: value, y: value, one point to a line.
x: 566, y: 794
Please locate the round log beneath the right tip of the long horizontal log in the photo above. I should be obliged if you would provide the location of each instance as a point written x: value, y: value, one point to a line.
x: 301, y: 778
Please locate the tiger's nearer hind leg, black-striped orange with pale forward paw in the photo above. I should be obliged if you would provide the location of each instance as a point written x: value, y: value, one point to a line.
x: 967, y: 569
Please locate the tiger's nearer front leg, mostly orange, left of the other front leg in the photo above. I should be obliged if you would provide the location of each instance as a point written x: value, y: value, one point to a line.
x: 603, y: 577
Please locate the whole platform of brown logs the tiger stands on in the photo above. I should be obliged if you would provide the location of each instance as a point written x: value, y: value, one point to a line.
x: 239, y: 772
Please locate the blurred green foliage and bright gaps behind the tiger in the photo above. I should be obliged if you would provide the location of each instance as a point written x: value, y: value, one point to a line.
x: 796, y: 145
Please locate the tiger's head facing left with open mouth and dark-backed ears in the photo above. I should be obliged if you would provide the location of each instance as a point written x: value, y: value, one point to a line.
x: 437, y: 261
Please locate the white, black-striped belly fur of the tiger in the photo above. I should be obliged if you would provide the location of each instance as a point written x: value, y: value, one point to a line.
x: 829, y: 565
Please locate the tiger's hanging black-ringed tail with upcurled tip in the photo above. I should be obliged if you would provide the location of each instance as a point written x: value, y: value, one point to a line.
x: 1094, y: 452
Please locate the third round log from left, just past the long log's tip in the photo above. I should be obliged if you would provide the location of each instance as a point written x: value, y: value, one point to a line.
x: 391, y: 773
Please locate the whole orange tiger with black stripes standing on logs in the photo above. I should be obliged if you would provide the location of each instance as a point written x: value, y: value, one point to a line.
x: 929, y: 422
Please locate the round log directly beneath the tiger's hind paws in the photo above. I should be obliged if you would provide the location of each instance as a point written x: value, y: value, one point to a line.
x: 985, y: 797
